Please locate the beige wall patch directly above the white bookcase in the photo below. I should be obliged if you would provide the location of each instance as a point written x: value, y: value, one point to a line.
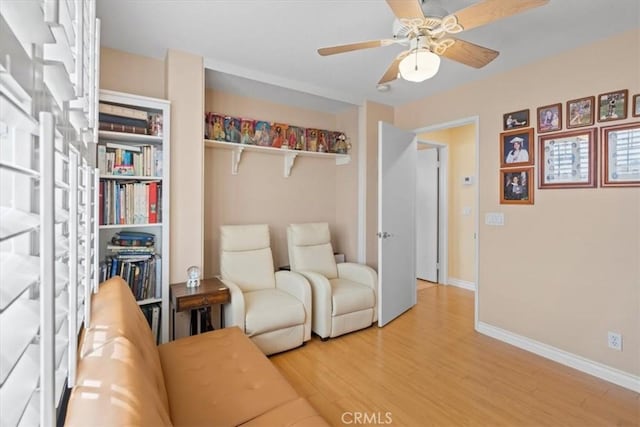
x: 126, y: 72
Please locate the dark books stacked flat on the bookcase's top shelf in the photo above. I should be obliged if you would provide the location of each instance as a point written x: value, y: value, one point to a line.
x: 119, y: 118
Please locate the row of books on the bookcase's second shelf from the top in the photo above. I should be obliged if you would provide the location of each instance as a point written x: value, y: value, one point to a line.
x: 129, y: 160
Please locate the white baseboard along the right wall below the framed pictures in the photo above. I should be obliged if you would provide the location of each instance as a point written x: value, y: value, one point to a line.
x: 607, y: 373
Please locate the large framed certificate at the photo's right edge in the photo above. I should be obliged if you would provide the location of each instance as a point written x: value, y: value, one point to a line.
x: 621, y: 155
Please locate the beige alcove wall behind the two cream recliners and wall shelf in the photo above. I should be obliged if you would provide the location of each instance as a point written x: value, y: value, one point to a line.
x: 317, y: 189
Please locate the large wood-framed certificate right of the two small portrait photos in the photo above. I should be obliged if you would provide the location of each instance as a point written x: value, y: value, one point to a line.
x: 568, y: 159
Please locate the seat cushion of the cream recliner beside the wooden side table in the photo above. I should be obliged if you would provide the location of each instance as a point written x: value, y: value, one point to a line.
x: 271, y: 309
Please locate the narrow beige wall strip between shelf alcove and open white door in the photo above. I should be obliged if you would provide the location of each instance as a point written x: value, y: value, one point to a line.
x: 373, y: 113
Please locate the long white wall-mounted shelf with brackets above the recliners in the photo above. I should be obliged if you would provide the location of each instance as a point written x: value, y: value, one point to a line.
x: 289, y: 156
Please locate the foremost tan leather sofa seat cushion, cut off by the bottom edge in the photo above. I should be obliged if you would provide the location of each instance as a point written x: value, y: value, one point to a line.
x: 295, y: 413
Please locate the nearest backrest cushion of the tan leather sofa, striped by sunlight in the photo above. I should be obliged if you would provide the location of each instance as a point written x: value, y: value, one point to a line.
x: 112, y: 389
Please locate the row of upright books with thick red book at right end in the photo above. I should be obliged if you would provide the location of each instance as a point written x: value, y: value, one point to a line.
x: 129, y: 202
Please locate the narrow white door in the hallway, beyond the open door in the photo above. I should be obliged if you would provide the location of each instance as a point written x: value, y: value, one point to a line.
x: 427, y: 215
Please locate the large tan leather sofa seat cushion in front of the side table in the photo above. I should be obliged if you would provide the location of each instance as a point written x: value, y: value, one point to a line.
x: 220, y: 378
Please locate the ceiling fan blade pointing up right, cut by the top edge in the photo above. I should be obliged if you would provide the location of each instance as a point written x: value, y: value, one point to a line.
x: 488, y: 11
